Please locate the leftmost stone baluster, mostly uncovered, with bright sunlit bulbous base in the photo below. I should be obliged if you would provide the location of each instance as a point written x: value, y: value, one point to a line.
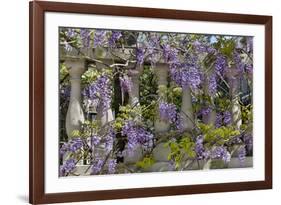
x: 75, y: 115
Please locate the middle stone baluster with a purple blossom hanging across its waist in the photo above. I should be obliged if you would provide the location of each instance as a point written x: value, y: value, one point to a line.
x: 161, y: 71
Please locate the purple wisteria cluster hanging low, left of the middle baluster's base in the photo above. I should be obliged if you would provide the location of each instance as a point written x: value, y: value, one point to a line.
x: 136, y: 135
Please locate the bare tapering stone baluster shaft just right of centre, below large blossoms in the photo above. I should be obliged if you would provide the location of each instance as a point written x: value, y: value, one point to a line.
x: 186, y: 109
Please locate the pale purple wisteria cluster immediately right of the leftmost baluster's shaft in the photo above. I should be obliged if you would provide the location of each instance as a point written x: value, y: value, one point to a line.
x: 100, y: 91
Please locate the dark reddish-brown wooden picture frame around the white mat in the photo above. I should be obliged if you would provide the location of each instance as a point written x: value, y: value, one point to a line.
x: 37, y: 10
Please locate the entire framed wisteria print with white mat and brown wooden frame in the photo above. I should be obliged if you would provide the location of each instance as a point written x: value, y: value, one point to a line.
x: 139, y: 102
